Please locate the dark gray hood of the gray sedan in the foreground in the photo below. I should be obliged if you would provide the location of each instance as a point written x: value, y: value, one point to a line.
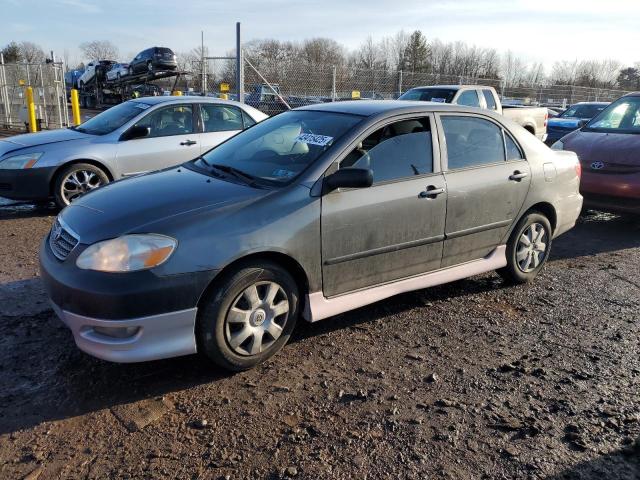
x: 152, y: 203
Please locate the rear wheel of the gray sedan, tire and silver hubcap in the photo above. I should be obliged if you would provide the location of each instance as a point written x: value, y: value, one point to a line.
x: 528, y: 248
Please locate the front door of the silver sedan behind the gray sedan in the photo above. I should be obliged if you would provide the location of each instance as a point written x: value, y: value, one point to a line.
x: 172, y: 140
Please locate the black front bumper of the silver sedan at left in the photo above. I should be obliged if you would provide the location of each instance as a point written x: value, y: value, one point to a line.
x: 26, y: 184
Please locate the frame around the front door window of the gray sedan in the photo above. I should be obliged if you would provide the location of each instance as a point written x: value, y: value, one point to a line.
x: 437, y: 170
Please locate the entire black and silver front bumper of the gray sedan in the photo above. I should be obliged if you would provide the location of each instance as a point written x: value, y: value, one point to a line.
x: 127, y: 317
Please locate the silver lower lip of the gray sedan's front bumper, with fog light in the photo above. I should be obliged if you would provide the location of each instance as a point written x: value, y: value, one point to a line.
x: 136, y: 339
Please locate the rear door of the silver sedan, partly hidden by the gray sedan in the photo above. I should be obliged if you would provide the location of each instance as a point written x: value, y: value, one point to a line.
x: 219, y: 122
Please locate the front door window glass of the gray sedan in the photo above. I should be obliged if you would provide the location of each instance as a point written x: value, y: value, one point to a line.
x: 399, y: 150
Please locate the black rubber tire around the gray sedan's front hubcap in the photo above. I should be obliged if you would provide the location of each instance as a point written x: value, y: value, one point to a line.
x: 212, y: 329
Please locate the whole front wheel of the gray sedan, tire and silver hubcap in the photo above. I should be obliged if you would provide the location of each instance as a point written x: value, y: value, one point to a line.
x: 248, y: 317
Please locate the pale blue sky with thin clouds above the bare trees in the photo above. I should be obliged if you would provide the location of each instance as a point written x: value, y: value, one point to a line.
x: 539, y: 30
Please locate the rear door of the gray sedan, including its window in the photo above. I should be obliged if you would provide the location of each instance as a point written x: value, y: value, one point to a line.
x: 487, y: 182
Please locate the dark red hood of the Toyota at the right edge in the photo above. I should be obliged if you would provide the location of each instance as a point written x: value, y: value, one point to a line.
x: 618, y: 148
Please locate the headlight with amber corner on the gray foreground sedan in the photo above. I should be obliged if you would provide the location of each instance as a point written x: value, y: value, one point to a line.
x: 127, y: 253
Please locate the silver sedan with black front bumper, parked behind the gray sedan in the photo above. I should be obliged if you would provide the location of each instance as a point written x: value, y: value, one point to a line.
x: 134, y: 137
